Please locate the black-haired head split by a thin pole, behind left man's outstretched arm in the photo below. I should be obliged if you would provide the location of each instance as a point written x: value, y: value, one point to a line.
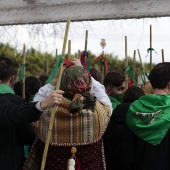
x: 32, y: 85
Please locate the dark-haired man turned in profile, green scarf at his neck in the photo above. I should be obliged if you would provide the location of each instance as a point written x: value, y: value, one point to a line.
x: 114, y: 83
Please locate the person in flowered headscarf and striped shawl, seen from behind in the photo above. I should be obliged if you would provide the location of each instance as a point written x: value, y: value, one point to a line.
x: 79, y: 122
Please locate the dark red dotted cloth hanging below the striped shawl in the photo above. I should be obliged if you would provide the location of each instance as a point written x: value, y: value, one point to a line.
x: 89, y: 156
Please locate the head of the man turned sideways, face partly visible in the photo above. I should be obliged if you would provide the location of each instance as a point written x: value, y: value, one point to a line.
x: 114, y: 83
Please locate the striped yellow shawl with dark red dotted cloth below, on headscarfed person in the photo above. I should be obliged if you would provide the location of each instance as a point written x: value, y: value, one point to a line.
x: 83, y: 130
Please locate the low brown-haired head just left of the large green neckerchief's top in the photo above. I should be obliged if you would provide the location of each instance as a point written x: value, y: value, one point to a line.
x: 132, y: 94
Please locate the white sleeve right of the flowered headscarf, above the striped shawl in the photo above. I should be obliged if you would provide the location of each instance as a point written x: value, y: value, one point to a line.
x: 98, y: 90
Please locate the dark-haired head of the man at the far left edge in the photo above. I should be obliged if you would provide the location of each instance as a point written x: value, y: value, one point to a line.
x: 8, y: 71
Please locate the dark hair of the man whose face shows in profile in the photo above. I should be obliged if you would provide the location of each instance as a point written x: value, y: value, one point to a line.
x: 114, y: 79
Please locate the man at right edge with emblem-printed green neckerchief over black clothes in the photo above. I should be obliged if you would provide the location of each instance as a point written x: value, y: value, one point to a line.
x: 148, y: 118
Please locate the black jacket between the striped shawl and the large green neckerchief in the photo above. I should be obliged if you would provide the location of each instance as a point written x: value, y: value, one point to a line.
x: 115, y: 138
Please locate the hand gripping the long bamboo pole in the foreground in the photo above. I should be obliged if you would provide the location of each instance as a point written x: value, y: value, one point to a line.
x: 53, y: 99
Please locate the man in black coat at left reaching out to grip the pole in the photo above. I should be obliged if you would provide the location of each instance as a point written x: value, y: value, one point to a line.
x: 14, y: 127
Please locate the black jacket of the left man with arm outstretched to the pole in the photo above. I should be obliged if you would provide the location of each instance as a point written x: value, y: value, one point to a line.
x: 12, y: 118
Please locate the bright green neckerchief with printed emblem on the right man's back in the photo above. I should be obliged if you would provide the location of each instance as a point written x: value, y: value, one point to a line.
x: 149, y: 117
